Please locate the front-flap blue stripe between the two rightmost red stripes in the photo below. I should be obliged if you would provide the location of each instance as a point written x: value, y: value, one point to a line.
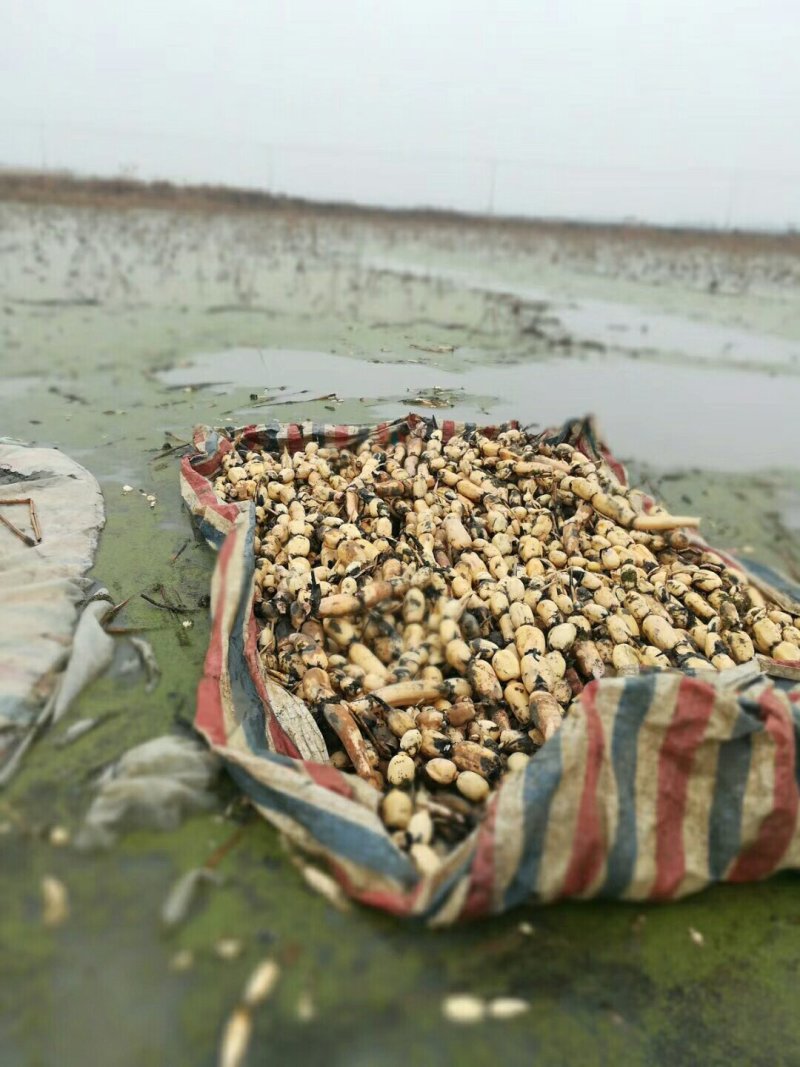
x: 733, y: 768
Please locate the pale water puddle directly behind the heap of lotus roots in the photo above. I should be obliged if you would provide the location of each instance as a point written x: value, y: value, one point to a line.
x: 663, y: 415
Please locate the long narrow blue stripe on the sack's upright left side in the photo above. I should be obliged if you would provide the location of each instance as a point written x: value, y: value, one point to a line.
x: 247, y: 700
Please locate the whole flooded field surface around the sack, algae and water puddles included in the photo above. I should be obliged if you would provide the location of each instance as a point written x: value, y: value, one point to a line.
x: 120, y: 331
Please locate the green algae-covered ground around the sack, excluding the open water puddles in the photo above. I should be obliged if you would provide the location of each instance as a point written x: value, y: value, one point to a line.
x: 609, y: 983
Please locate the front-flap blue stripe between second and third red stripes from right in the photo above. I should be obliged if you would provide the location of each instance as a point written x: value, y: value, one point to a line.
x: 635, y: 703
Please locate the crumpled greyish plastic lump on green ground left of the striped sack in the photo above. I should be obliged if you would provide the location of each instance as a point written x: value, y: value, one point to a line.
x: 152, y: 787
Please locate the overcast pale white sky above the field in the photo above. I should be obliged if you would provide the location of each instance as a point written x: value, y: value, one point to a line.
x: 669, y: 110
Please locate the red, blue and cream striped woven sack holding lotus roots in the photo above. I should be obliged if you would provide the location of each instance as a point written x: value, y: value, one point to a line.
x: 654, y: 787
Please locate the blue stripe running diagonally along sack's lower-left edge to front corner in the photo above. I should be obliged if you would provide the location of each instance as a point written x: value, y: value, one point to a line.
x: 348, y: 840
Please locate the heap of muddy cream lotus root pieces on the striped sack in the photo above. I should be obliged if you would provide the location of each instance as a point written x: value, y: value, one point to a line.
x: 439, y: 606
